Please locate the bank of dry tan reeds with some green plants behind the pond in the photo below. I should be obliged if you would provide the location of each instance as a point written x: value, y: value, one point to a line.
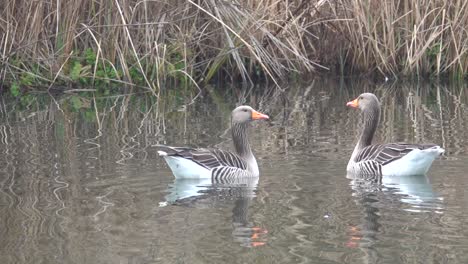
x: 155, y: 44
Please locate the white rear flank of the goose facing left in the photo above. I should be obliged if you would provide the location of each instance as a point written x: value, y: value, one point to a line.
x: 417, y: 162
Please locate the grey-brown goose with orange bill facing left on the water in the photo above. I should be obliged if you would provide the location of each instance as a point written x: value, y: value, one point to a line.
x: 386, y: 159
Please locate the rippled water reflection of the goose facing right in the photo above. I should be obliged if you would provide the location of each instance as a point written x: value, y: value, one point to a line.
x: 202, y: 193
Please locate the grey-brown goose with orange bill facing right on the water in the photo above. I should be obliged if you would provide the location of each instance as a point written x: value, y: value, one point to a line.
x: 217, y: 164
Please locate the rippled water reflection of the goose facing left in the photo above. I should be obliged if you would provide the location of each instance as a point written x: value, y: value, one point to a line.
x: 376, y: 194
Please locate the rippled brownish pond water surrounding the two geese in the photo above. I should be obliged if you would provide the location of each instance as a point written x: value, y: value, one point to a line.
x: 81, y: 183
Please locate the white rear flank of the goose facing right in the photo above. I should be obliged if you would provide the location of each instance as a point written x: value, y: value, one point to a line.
x: 186, y: 169
